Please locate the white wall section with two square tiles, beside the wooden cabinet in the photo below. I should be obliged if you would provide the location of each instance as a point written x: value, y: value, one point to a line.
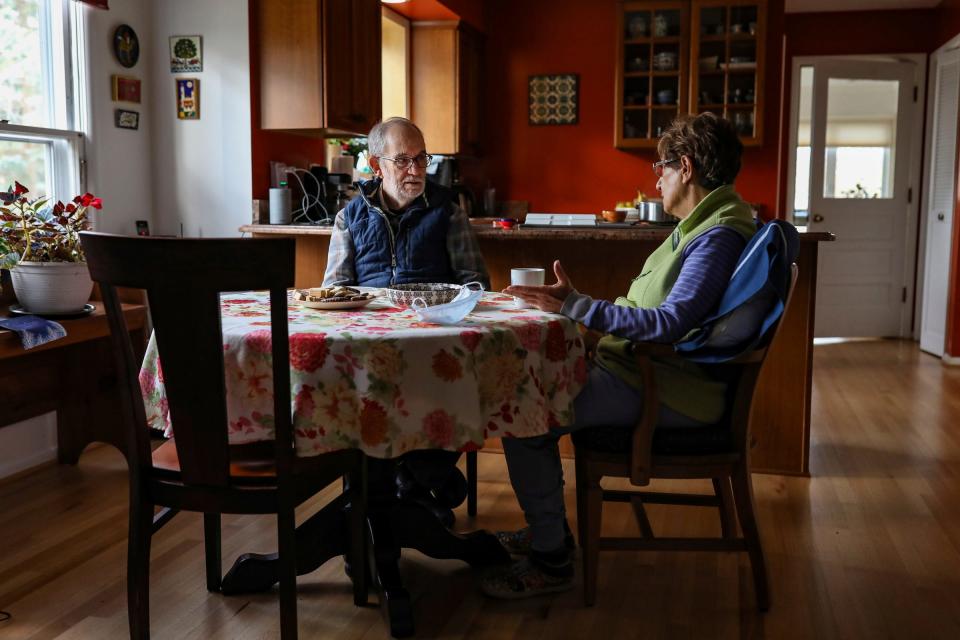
x: 203, y: 177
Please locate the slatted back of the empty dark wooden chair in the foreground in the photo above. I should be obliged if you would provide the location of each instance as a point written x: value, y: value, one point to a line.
x: 183, y: 280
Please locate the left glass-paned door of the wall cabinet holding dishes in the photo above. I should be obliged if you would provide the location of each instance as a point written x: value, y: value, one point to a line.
x: 652, y: 65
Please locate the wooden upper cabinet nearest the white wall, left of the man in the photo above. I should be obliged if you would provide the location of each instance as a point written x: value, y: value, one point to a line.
x: 319, y: 65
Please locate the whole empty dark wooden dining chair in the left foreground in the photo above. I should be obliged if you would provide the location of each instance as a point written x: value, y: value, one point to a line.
x: 198, y: 470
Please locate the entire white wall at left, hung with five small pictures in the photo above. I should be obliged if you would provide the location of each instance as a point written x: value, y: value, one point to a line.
x: 168, y: 171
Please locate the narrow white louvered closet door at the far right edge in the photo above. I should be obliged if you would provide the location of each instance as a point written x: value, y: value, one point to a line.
x: 940, y: 202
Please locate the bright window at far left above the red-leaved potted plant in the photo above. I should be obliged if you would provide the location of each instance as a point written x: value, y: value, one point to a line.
x: 39, y: 142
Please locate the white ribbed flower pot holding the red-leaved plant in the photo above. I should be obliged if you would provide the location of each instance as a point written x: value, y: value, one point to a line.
x: 52, y: 287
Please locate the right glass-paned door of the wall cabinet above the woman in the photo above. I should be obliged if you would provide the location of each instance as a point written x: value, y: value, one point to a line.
x: 727, y: 62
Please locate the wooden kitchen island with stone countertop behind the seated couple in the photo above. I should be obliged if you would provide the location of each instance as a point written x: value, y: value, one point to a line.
x: 601, y: 262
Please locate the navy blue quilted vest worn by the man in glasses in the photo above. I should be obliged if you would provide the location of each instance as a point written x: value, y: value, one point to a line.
x: 418, y: 251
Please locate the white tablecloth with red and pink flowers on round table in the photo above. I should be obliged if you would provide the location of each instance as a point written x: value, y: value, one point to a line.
x: 381, y: 380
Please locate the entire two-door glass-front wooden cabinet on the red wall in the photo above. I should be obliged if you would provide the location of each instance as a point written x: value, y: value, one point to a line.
x: 688, y: 56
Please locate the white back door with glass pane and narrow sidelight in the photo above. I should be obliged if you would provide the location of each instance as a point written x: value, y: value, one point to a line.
x: 859, y: 121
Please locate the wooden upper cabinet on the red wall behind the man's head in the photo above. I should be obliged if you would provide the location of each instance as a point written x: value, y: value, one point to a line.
x: 447, y: 66
